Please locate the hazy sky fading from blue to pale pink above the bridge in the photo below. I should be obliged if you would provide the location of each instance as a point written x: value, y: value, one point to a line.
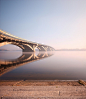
x: 57, y: 23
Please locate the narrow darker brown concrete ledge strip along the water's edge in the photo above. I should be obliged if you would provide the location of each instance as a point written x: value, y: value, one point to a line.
x: 40, y: 83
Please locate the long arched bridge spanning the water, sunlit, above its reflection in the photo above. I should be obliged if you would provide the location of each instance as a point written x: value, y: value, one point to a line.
x: 25, y: 45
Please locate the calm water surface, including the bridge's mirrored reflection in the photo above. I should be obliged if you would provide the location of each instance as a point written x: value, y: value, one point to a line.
x: 59, y: 65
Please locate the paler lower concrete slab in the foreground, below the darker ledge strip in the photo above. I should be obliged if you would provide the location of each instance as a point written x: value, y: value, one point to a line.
x: 43, y: 92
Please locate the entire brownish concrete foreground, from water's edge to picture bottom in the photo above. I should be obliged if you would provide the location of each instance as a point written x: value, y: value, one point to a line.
x: 42, y: 89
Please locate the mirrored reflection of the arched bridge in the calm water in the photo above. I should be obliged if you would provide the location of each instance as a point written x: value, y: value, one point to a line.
x: 26, y: 57
